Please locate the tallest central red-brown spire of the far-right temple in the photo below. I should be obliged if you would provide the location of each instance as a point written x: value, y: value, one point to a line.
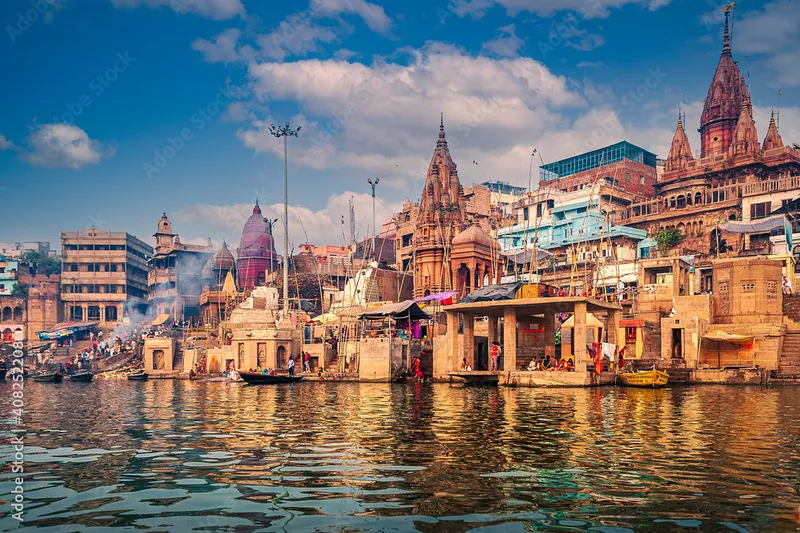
x: 723, y: 106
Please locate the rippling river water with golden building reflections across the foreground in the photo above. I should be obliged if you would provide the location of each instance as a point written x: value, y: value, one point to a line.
x: 183, y: 456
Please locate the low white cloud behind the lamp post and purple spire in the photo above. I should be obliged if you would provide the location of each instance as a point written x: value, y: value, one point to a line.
x: 305, y: 225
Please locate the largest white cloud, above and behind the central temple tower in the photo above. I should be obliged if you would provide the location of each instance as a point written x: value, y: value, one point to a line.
x: 386, y: 116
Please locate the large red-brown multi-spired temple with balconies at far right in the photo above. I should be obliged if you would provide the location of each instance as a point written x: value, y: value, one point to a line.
x: 735, y: 177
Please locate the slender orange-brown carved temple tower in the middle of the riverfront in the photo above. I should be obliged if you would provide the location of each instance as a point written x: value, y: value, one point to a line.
x: 441, y: 217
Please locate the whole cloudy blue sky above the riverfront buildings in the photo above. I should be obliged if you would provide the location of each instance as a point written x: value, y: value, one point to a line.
x: 113, y: 111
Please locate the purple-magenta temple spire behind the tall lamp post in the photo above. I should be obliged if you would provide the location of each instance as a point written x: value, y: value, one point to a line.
x: 256, y: 253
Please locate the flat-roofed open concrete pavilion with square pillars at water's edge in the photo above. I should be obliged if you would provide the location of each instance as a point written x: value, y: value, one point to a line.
x: 527, y: 311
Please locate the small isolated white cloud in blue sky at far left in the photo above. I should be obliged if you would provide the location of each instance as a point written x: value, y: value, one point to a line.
x: 63, y: 145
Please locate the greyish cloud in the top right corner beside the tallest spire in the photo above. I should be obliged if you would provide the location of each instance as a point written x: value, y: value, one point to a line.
x: 773, y: 32
